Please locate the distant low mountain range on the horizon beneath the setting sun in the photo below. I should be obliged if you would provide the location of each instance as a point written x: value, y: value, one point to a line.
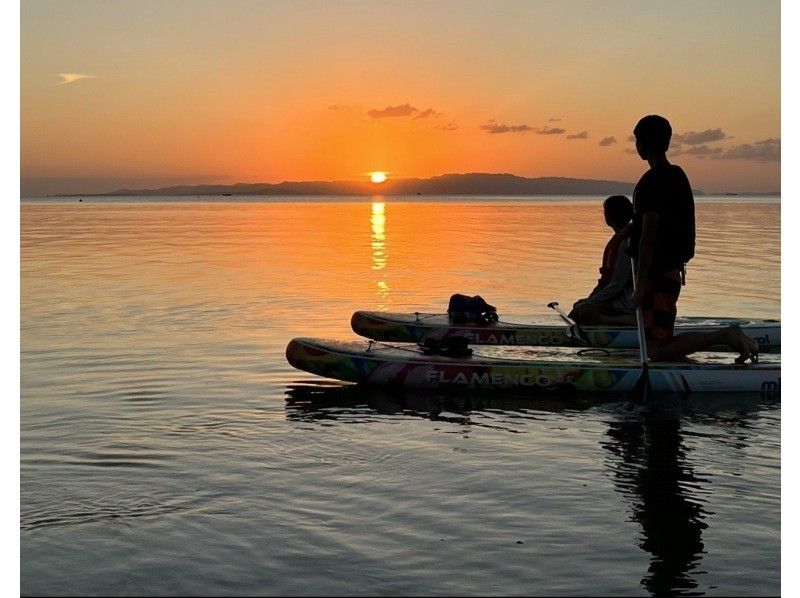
x: 448, y: 184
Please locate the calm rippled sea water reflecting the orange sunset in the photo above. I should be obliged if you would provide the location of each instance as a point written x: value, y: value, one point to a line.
x: 167, y: 448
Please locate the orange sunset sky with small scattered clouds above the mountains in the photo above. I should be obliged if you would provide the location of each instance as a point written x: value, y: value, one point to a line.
x: 153, y: 93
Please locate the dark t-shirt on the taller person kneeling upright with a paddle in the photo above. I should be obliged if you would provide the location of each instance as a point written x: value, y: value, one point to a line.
x: 665, y: 189
